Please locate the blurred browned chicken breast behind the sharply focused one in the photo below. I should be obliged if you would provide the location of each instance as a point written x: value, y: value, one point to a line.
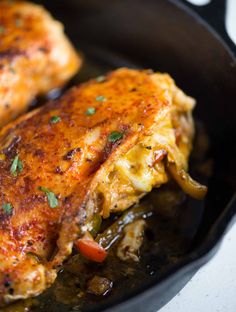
x: 35, y: 56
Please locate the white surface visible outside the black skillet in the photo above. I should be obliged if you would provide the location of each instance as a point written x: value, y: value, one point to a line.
x: 213, y: 288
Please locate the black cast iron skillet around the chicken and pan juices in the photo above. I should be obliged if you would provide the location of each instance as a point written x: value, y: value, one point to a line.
x: 168, y: 36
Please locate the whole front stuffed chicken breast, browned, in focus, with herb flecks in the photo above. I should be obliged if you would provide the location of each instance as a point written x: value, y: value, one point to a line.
x: 98, y: 149
